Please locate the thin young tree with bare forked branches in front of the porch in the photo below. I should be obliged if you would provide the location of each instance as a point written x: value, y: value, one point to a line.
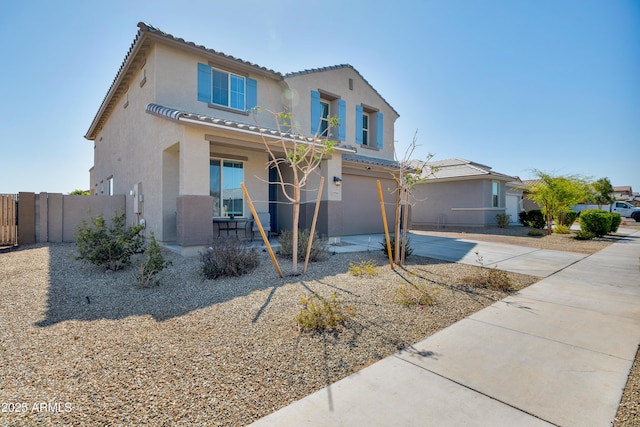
x: 302, y: 156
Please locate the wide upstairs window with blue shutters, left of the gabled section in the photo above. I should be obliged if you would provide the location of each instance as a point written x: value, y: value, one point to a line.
x: 226, y: 89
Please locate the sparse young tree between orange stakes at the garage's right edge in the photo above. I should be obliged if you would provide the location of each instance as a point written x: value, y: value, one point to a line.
x: 407, y: 174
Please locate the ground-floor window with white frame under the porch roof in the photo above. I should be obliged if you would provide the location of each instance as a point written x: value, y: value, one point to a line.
x: 225, y: 177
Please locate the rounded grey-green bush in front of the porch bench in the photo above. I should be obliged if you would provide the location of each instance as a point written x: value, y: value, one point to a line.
x: 228, y: 256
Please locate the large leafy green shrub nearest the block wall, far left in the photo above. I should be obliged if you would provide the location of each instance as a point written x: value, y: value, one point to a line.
x: 111, y: 246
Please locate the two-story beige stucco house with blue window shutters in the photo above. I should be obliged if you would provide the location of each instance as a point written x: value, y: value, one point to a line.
x: 175, y: 135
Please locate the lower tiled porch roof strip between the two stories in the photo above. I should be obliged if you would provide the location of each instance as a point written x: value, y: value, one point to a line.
x: 188, y: 117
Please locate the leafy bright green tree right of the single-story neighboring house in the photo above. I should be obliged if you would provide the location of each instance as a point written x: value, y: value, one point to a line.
x: 556, y: 194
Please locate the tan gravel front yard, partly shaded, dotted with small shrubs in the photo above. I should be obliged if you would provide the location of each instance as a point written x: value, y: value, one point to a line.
x: 81, y: 346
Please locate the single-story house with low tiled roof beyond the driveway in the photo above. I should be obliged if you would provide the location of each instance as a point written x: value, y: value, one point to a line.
x: 459, y: 192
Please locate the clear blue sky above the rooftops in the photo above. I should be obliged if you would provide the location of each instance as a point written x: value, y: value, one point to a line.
x: 516, y: 85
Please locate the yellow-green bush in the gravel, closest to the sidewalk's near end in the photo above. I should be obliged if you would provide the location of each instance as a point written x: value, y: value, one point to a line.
x: 320, y: 314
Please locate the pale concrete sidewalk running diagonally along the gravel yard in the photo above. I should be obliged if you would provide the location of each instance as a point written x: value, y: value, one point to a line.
x: 556, y: 353
